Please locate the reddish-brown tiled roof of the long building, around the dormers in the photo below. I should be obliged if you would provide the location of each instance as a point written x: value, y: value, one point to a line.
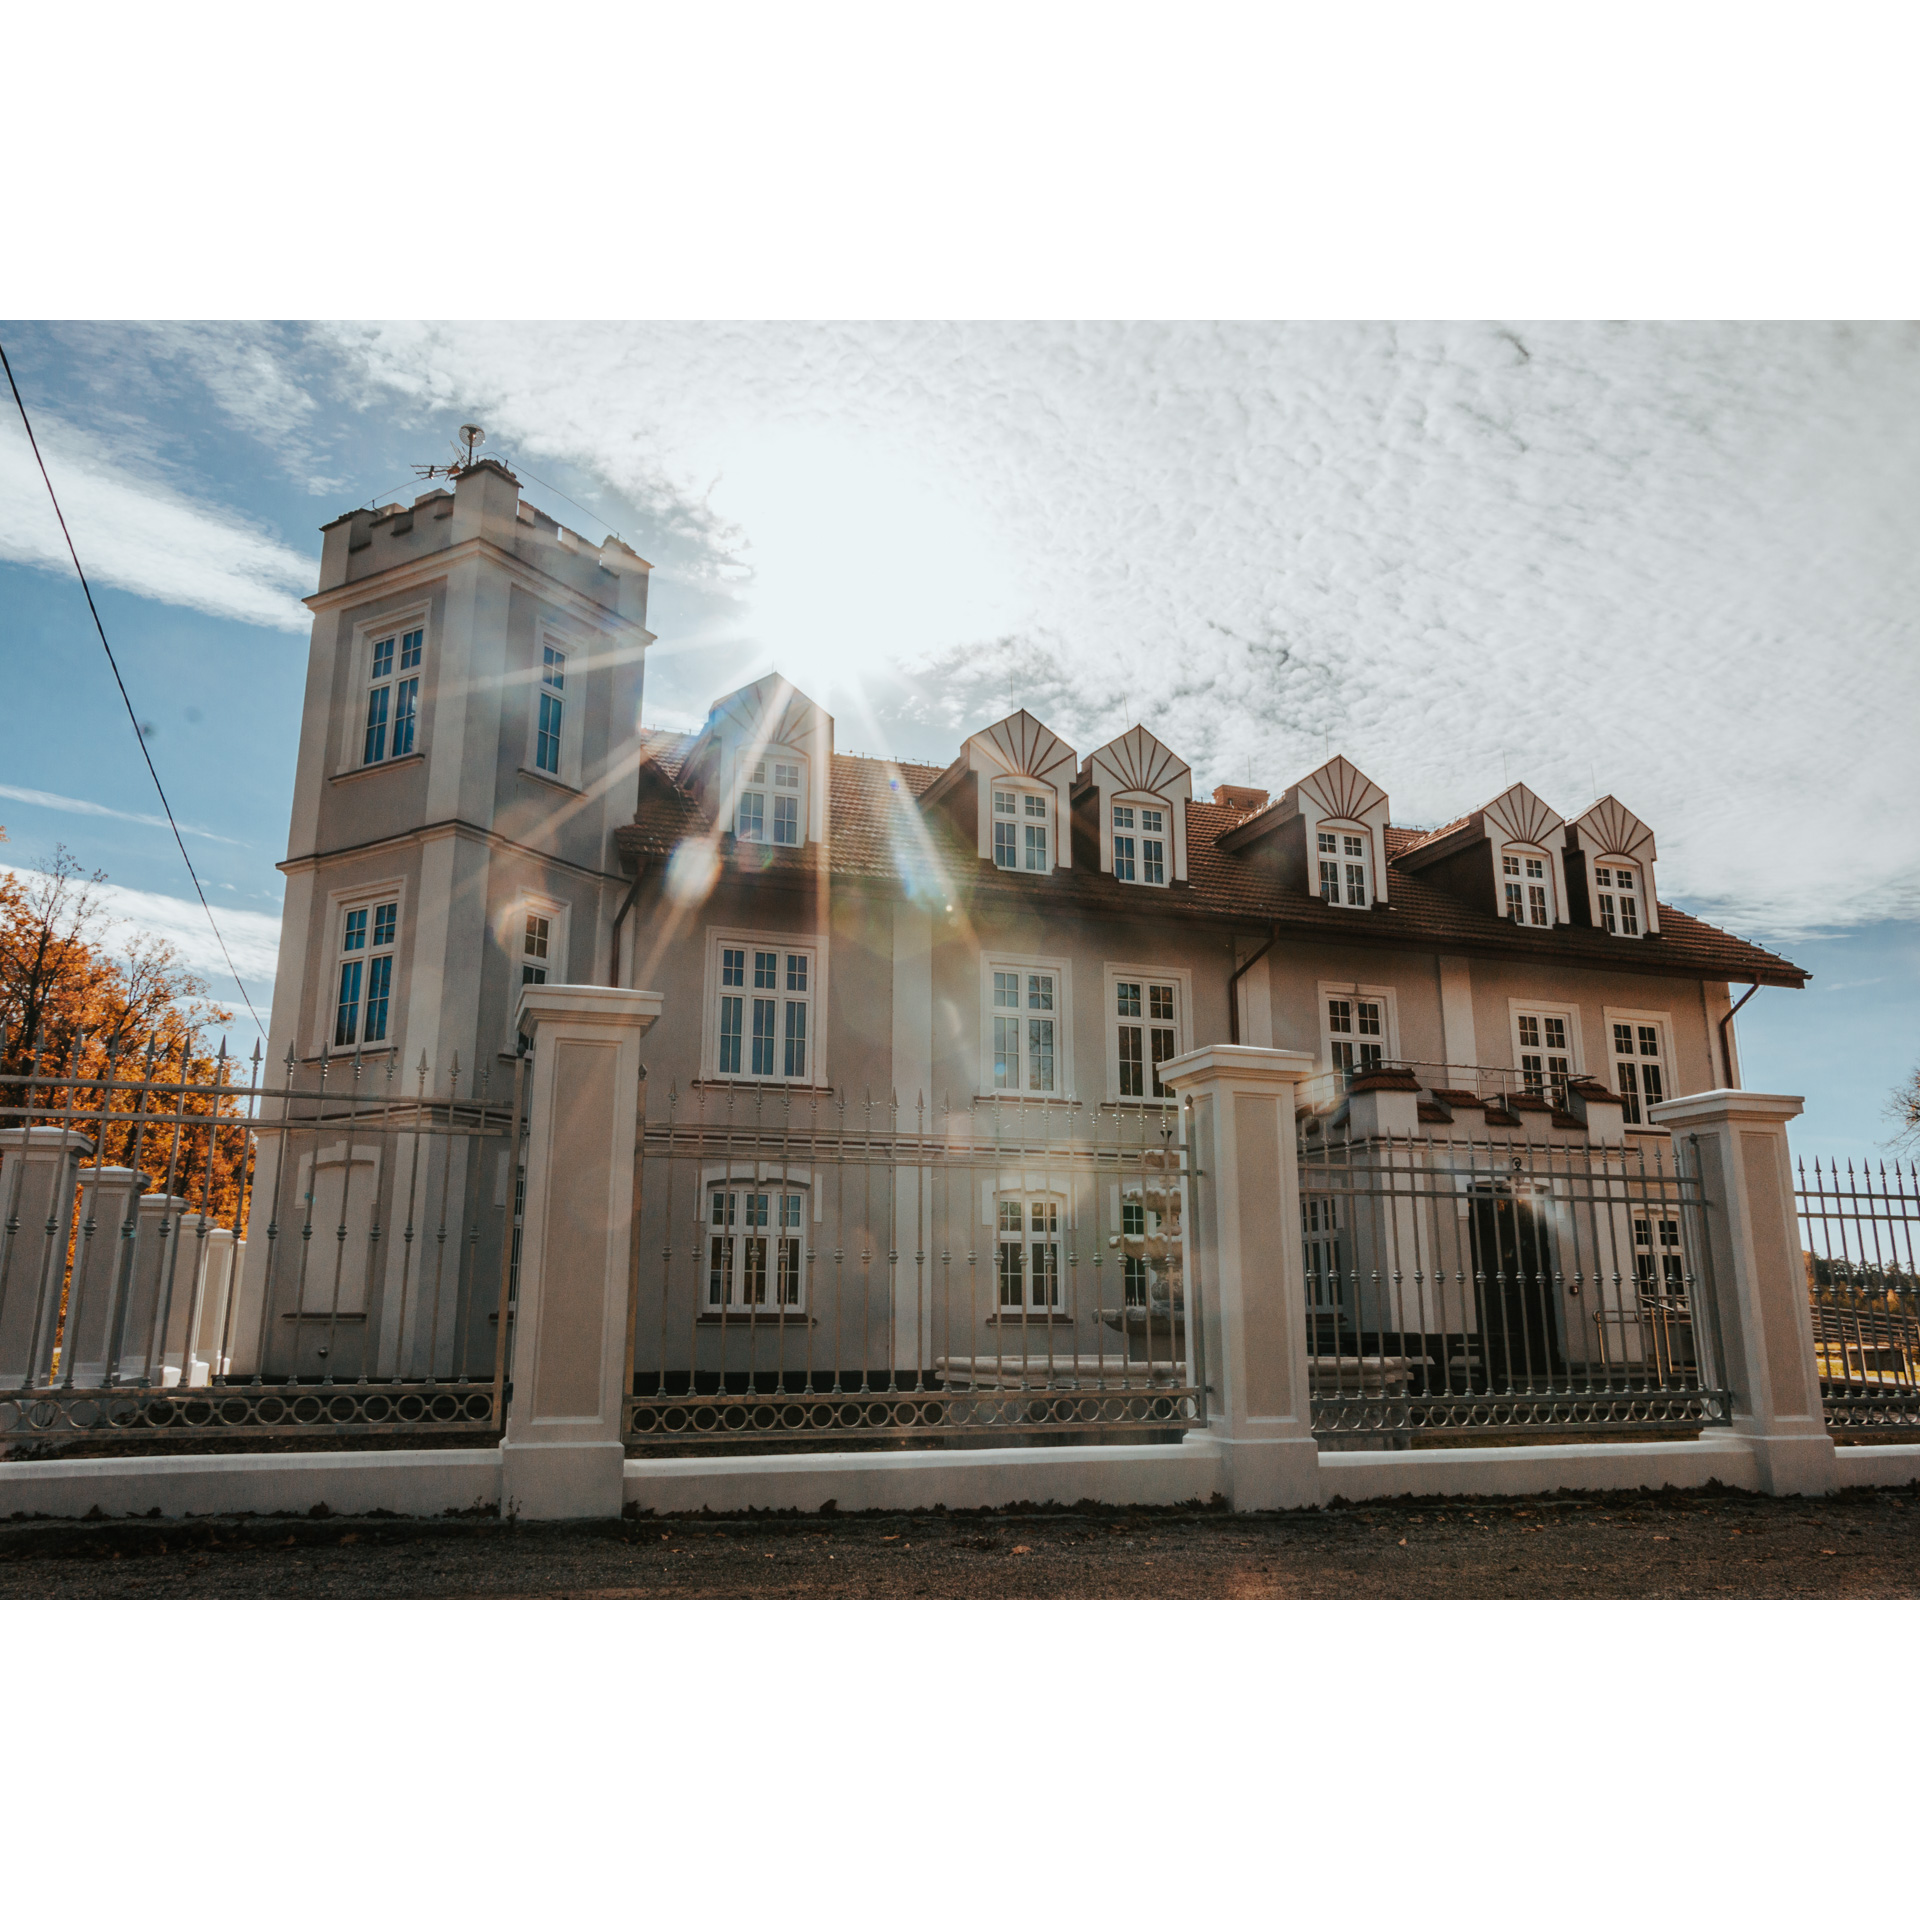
x: 880, y: 834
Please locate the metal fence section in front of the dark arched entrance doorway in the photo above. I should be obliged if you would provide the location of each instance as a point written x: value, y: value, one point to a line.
x: 1491, y: 1285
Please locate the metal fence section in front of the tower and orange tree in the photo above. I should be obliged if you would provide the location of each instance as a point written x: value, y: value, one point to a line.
x: 185, y: 1253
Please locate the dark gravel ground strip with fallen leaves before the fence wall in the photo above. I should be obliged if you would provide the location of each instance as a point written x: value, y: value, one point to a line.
x: 1631, y: 1547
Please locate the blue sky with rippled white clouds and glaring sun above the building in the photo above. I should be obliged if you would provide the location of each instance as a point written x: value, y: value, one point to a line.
x: 1668, y: 562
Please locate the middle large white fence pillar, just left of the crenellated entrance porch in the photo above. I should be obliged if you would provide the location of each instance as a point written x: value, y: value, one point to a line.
x: 1243, y: 1237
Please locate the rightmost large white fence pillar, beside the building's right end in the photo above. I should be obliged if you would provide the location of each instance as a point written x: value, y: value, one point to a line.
x: 1760, y: 1280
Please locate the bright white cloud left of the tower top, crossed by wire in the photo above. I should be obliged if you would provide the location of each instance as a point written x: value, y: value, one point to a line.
x: 141, y: 535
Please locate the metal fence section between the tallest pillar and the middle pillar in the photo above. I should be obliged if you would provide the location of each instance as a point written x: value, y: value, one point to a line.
x: 819, y: 1266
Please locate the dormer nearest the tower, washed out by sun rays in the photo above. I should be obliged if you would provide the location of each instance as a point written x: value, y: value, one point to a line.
x: 765, y: 759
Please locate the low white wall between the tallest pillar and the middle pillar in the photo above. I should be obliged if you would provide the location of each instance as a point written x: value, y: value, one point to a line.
x: 961, y: 1479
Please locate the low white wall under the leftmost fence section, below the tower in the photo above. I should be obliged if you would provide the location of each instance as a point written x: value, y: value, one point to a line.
x: 414, y: 1483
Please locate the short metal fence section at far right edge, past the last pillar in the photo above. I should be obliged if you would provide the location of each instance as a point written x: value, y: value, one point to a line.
x: 1860, y: 1228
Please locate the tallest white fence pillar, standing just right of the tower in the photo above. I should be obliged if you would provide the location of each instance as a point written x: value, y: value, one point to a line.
x: 564, y: 1454
